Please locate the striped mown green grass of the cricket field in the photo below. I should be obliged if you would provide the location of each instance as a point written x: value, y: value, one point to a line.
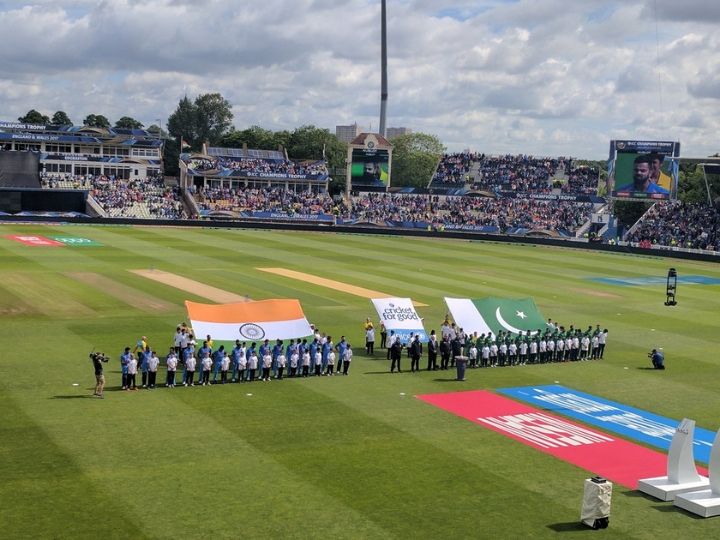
x: 341, y: 457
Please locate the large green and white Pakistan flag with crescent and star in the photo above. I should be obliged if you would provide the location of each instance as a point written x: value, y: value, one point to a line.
x: 493, y: 314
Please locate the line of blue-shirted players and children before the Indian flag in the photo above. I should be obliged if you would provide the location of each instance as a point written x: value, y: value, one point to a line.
x: 241, y: 364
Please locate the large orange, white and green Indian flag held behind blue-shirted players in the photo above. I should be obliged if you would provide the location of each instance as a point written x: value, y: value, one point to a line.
x: 254, y: 321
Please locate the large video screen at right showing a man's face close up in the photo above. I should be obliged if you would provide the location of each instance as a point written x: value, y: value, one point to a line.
x: 644, y: 169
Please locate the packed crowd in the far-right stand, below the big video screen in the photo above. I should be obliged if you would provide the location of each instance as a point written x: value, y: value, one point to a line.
x: 676, y: 224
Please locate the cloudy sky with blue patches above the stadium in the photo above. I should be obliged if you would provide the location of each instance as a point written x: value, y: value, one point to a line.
x: 542, y: 77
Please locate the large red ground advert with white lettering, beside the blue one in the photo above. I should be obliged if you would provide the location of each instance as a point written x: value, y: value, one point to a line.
x: 617, y: 460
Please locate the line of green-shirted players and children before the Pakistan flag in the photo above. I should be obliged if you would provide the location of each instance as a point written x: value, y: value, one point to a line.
x: 509, y: 350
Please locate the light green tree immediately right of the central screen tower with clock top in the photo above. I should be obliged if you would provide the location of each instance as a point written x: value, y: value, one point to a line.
x: 415, y: 156
